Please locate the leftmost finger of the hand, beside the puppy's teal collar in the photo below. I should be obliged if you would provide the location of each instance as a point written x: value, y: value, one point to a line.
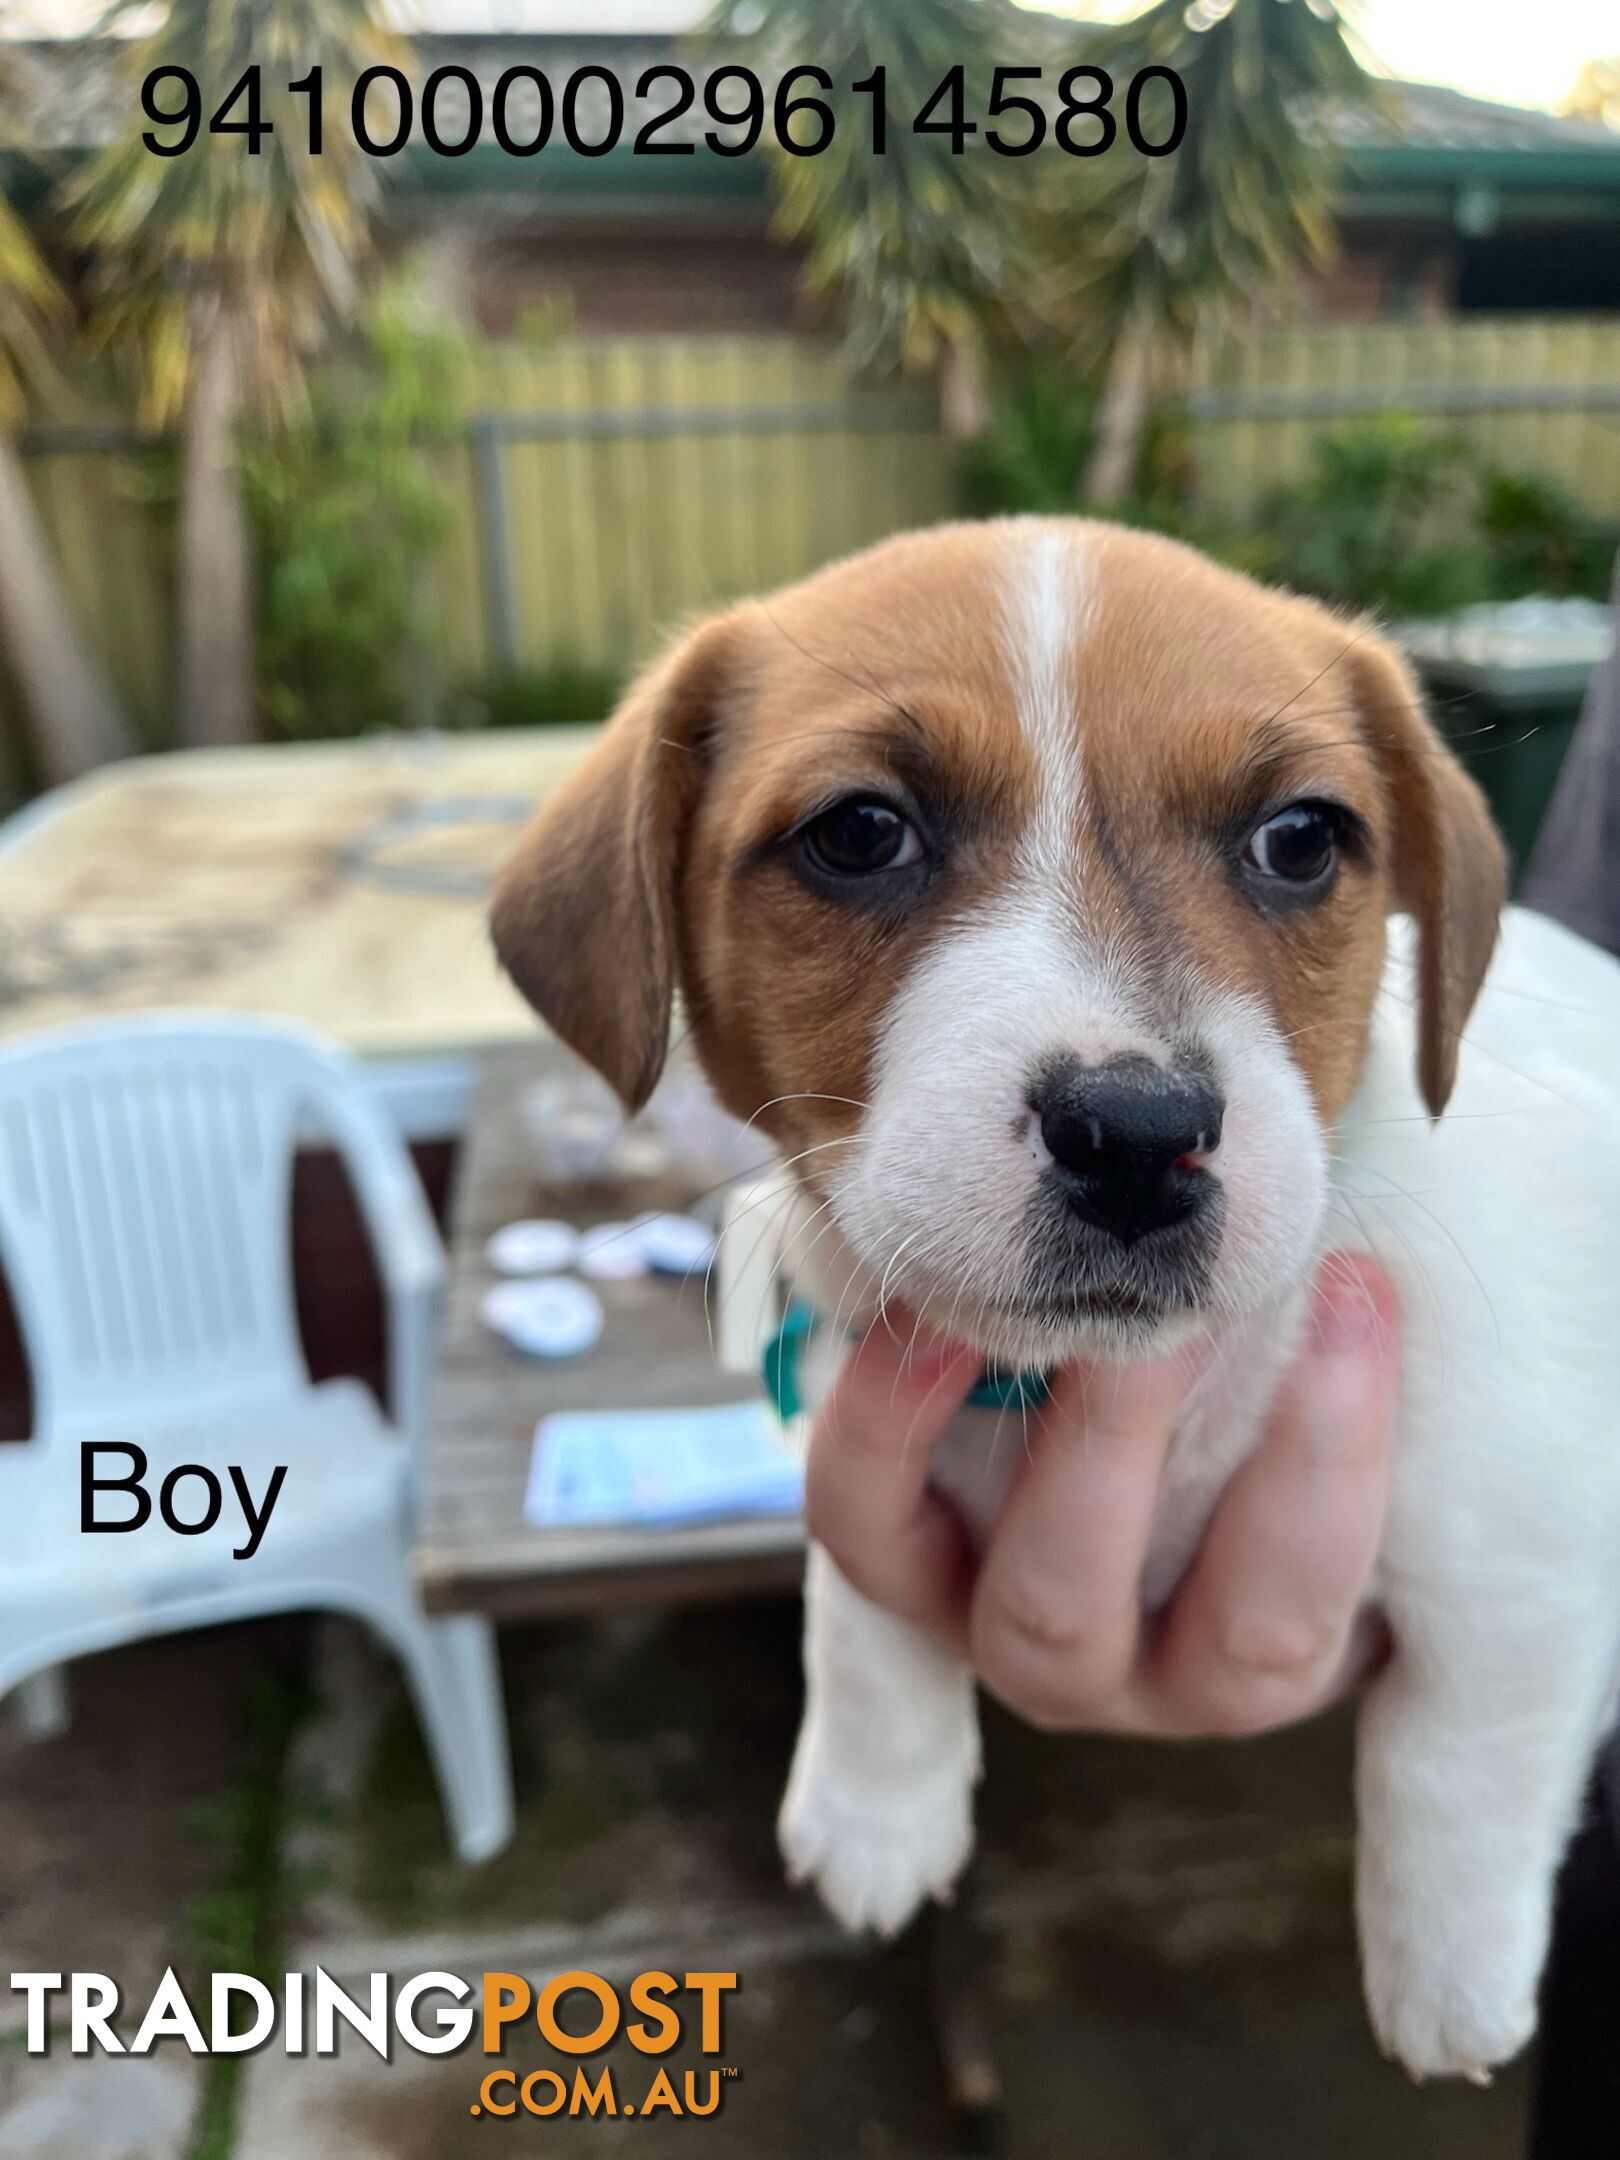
x: 867, y: 1483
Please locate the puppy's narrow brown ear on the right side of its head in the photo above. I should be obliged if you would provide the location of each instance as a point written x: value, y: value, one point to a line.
x: 1450, y: 869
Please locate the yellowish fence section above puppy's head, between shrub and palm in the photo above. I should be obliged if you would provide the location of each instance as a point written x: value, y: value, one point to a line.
x: 619, y: 485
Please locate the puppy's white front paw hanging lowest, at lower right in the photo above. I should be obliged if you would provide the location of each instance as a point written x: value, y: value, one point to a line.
x: 1453, y: 2001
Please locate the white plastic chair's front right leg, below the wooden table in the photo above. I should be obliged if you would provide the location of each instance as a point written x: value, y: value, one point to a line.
x: 457, y: 1684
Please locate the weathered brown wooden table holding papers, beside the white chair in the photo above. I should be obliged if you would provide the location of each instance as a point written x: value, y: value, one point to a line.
x: 476, y: 1552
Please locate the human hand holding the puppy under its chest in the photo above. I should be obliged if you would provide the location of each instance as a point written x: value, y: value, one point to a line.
x: 1267, y: 1625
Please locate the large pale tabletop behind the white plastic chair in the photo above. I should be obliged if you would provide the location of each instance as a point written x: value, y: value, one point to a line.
x: 340, y: 885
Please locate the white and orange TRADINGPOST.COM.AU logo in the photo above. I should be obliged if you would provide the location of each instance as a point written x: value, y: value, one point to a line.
x: 578, y: 2016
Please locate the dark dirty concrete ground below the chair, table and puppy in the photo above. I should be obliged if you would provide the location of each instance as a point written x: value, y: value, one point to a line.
x: 1157, y: 1939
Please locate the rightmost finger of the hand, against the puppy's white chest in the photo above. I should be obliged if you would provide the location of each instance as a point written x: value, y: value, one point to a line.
x: 1265, y: 1630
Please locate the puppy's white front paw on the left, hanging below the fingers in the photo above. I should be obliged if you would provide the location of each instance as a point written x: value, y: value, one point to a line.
x: 876, y: 1850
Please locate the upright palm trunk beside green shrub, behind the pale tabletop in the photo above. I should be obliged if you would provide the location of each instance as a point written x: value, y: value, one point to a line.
x: 215, y: 558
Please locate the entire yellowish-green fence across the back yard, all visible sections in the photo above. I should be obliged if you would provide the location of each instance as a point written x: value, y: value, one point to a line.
x: 610, y: 487
